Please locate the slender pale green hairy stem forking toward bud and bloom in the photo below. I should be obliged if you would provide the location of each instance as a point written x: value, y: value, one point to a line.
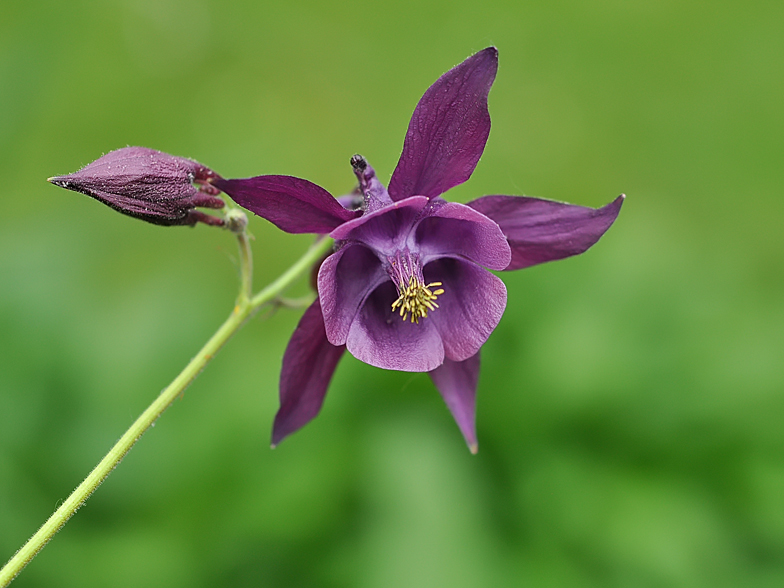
x: 246, y: 305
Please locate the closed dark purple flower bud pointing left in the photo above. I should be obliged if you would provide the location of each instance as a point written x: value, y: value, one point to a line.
x: 150, y: 185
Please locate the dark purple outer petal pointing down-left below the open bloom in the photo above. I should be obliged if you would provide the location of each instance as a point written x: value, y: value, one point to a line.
x: 308, y: 365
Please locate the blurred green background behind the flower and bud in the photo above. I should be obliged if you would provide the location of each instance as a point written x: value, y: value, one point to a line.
x: 631, y: 400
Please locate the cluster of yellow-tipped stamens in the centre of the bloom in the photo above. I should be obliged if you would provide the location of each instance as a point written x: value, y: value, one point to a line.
x: 414, y: 296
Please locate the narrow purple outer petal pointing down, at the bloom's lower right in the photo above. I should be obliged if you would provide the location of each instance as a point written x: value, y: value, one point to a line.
x: 456, y: 381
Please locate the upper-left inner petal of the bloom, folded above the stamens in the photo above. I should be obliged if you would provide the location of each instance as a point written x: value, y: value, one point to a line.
x: 385, y: 230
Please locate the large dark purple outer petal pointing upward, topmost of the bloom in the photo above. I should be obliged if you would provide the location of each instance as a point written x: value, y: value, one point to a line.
x: 448, y: 130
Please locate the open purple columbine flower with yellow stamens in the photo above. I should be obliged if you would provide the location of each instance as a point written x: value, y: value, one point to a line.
x: 408, y: 287
